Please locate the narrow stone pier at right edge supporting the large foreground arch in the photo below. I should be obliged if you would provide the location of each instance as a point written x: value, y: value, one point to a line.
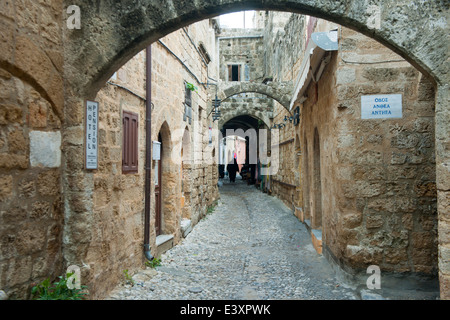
x: 443, y: 185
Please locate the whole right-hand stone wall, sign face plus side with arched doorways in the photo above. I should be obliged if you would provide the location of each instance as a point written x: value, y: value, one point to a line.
x: 377, y: 190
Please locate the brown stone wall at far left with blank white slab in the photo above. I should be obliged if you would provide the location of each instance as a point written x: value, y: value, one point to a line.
x: 31, y: 102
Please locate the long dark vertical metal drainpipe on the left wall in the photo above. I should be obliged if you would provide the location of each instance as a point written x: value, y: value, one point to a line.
x: 148, y: 159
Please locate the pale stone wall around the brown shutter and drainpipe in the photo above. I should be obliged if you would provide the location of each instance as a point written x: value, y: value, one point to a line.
x: 118, y: 199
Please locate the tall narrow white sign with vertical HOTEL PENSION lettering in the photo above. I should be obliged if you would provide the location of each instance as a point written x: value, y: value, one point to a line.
x: 91, y: 135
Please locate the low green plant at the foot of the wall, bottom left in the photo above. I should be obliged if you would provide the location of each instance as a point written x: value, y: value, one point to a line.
x: 57, y: 291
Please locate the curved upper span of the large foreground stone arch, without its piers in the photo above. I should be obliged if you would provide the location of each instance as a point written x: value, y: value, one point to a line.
x: 127, y: 29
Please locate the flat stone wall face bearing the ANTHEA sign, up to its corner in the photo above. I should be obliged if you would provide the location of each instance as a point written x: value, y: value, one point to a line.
x: 386, y: 168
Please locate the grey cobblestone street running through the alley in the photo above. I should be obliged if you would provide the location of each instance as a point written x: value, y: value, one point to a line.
x: 250, y: 247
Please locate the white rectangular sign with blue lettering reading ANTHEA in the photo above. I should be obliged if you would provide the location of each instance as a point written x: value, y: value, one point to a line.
x: 383, y: 106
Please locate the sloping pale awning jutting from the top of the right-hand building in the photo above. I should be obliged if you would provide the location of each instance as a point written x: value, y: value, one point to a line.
x: 313, y: 60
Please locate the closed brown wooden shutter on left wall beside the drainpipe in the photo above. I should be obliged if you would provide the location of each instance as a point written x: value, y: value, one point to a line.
x: 130, y: 142
